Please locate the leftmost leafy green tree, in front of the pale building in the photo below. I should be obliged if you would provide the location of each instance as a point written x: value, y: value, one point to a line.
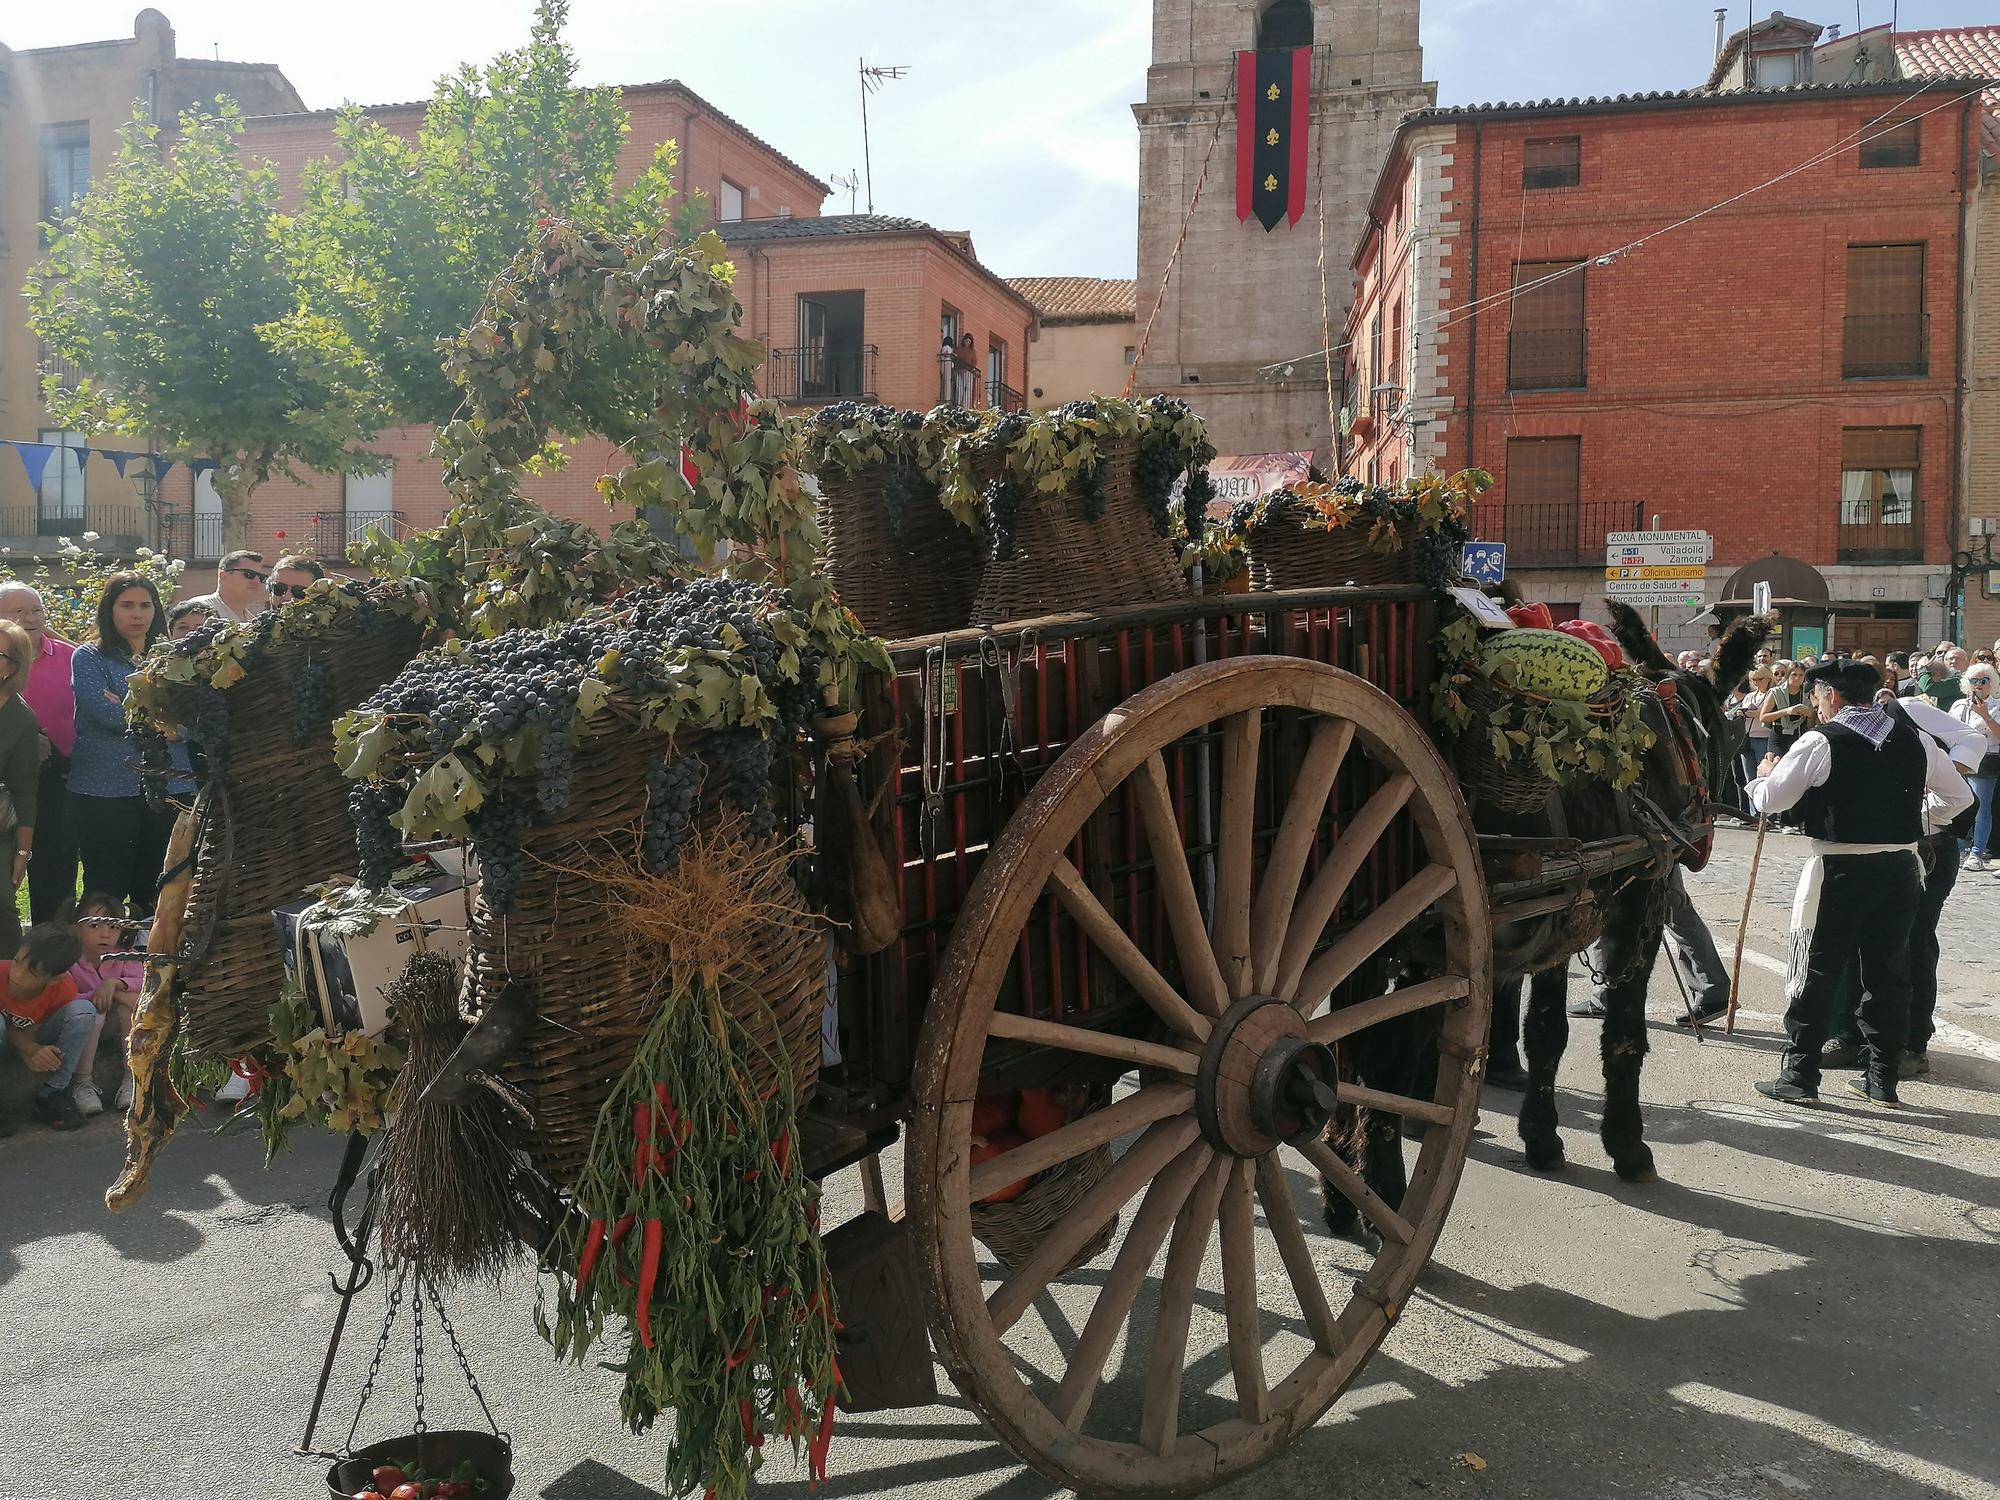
x: 169, y: 289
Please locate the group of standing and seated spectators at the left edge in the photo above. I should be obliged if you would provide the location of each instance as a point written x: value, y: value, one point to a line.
x: 77, y: 829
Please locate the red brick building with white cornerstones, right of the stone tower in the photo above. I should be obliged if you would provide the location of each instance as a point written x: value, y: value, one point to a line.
x: 1775, y: 365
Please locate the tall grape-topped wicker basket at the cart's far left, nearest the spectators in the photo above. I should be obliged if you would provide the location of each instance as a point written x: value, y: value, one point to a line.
x: 257, y: 703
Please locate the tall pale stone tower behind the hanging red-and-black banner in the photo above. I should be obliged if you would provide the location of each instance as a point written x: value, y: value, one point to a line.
x: 1243, y: 297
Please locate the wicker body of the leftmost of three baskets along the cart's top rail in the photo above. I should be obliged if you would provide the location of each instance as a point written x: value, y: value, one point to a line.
x: 899, y: 583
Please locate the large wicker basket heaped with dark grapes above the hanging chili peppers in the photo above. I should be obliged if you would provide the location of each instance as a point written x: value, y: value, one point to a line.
x: 597, y: 769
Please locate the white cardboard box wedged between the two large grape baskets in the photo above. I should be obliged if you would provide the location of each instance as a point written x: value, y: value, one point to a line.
x: 347, y: 977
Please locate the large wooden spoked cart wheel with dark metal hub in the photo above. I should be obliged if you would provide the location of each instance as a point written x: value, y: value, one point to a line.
x: 1235, y: 1089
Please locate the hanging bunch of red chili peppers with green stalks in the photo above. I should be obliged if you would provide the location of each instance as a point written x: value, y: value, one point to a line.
x: 699, y: 1229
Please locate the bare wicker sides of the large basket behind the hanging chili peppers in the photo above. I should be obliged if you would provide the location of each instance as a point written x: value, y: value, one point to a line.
x: 595, y: 995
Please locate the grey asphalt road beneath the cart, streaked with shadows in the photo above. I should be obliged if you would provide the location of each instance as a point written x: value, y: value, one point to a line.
x: 1807, y: 1305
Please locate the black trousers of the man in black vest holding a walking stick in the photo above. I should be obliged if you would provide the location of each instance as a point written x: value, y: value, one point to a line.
x: 1867, y: 913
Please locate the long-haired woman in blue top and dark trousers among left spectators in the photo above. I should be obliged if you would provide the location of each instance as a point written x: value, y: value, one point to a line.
x: 121, y: 839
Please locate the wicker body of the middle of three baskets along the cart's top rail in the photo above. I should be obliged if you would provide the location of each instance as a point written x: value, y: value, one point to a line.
x: 1065, y: 563
